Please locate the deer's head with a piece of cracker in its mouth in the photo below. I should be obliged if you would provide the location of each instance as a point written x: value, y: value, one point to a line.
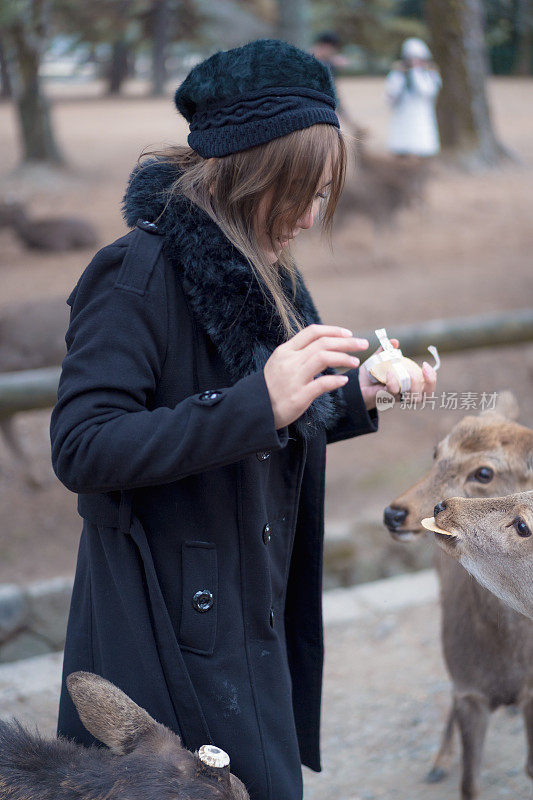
x: 493, y: 540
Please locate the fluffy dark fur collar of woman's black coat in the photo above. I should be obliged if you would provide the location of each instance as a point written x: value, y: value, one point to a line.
x: 223, y: 292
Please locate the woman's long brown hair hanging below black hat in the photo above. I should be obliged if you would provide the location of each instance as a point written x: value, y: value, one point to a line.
x: 230, y: 189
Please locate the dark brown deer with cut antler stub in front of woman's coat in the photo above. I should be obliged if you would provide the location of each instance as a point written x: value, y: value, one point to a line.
x: 145, y: 760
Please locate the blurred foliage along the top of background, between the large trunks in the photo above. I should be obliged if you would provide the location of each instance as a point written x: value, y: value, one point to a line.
x: 120, y: 38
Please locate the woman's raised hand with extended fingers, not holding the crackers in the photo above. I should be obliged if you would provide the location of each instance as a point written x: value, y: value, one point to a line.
x: 290, y: 371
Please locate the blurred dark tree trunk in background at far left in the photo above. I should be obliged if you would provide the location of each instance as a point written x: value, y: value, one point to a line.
x: 27, y: 35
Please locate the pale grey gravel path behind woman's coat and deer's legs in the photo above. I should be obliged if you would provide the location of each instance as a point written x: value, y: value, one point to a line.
x: 385, y: 701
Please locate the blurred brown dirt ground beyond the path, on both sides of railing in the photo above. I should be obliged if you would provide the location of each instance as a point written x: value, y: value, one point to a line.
x: 466, y: 252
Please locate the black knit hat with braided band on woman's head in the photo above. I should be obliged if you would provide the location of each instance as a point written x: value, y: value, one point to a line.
x: 247, y: 96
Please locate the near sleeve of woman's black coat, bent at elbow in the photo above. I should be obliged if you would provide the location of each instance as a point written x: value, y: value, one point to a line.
x: 104, y: 435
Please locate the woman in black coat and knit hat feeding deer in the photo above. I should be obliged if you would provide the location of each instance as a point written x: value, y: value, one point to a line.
x: 194, y: 408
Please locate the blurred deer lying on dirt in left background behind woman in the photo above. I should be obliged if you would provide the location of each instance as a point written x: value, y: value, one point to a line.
x: 54, y: 234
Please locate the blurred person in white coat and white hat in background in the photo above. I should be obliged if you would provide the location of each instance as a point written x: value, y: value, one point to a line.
x: 412, y: 87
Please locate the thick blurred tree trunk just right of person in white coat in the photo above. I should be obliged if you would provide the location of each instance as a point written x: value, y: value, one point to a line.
x: 465, y: 126
